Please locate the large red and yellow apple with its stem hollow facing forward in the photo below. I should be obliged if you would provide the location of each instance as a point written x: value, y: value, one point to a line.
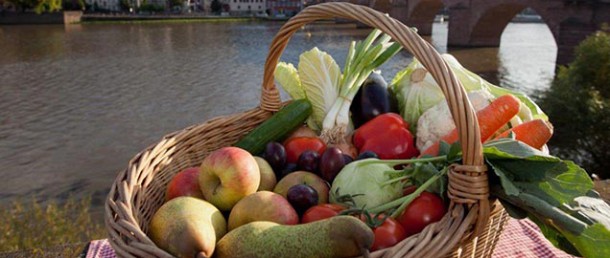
x: 227, y: 175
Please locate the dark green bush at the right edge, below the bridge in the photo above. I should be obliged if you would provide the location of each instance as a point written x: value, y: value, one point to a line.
x: 578, y: 105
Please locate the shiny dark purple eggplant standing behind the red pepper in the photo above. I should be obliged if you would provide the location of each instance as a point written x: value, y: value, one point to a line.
x: 372, y: 99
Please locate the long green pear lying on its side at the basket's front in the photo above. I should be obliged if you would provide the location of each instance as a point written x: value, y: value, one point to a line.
x: 339, y: 236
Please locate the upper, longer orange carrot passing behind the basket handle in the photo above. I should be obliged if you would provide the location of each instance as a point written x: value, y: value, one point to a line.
x: 491, y: 119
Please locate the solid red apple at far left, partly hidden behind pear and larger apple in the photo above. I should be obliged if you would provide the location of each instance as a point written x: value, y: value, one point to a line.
x: 185, y: 183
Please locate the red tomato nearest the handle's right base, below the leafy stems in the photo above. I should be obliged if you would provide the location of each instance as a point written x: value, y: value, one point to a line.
x: 427, y: 208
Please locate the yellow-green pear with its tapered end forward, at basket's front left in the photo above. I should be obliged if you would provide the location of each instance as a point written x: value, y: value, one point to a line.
x: 187, y: 227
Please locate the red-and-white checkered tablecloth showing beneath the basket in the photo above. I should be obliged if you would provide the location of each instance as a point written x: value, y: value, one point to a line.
x: 520, y: 238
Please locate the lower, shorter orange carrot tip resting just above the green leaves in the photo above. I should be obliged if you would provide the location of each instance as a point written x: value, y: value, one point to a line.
x: 535, y: 133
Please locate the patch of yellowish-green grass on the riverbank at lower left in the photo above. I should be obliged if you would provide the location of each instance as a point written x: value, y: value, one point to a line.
x: 29, y: 225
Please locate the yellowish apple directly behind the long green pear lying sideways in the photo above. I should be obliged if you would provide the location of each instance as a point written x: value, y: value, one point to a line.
x: 262, y: 206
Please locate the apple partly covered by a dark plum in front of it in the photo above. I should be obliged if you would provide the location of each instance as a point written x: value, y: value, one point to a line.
x: 303, y: 177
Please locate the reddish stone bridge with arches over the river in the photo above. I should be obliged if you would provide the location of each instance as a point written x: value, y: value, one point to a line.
x: 480, y: 23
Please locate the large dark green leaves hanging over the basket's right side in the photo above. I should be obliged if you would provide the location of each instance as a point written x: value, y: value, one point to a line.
x: 558, y: 196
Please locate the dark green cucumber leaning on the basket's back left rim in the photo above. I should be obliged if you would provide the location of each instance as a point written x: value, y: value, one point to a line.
x: 278, y: 126
